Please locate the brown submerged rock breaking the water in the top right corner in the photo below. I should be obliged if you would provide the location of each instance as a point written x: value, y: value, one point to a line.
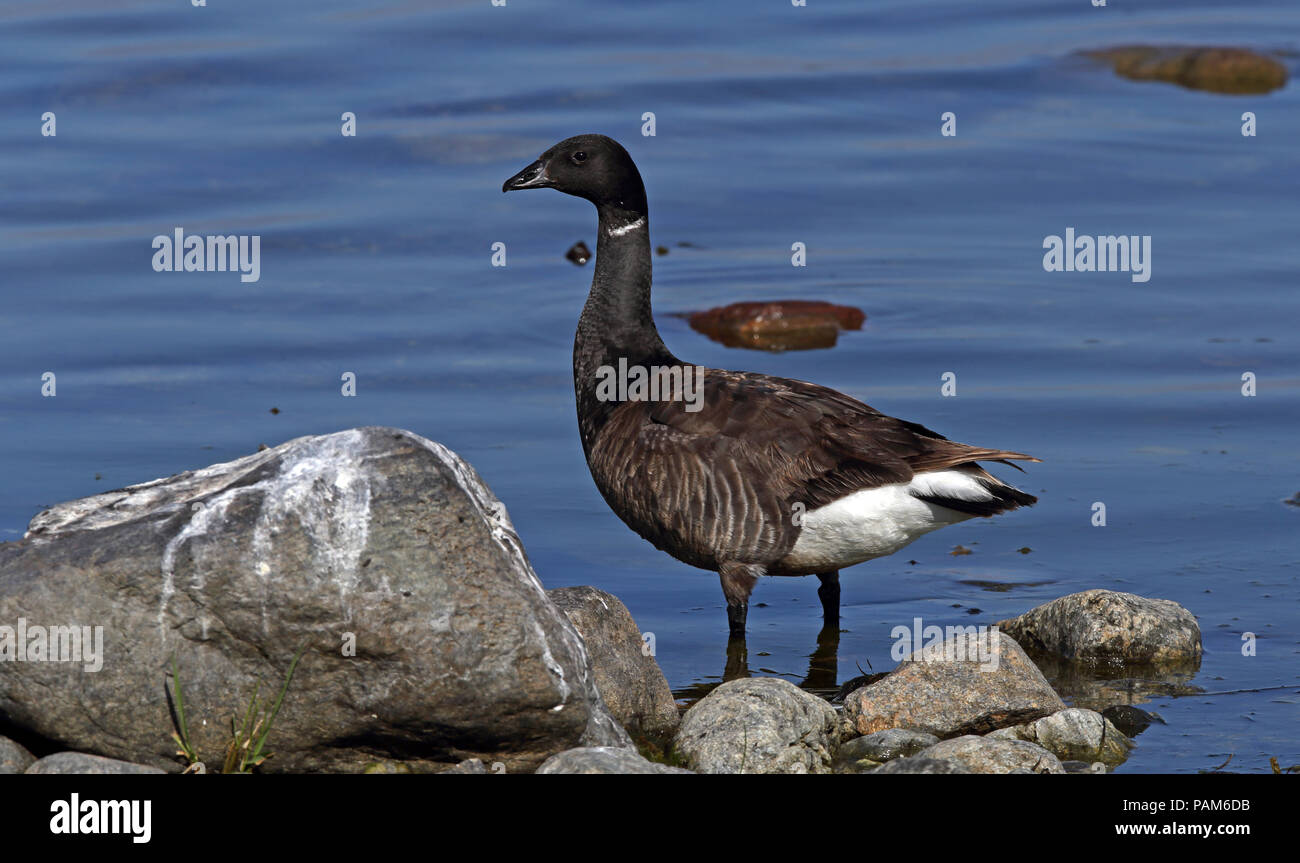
x: 1228, y: 71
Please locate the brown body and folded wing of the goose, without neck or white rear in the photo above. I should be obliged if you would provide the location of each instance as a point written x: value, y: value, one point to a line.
x: 723, y: 483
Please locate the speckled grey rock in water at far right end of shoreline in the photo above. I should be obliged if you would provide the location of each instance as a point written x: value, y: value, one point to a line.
x: 1106, y: 627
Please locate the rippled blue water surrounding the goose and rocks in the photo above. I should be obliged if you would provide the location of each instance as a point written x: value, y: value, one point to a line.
x: 774, y: 125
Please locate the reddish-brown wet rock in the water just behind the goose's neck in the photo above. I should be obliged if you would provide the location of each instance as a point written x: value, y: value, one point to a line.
x: 782, y: 326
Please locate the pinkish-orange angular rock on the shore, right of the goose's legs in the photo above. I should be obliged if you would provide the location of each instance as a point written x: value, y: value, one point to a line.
x: 952, y: 697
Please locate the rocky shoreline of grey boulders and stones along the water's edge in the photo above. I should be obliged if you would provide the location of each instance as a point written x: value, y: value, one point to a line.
x: 375, y: 579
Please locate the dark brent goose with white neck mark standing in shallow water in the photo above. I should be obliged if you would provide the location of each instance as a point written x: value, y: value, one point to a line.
x: 751, y: 475
